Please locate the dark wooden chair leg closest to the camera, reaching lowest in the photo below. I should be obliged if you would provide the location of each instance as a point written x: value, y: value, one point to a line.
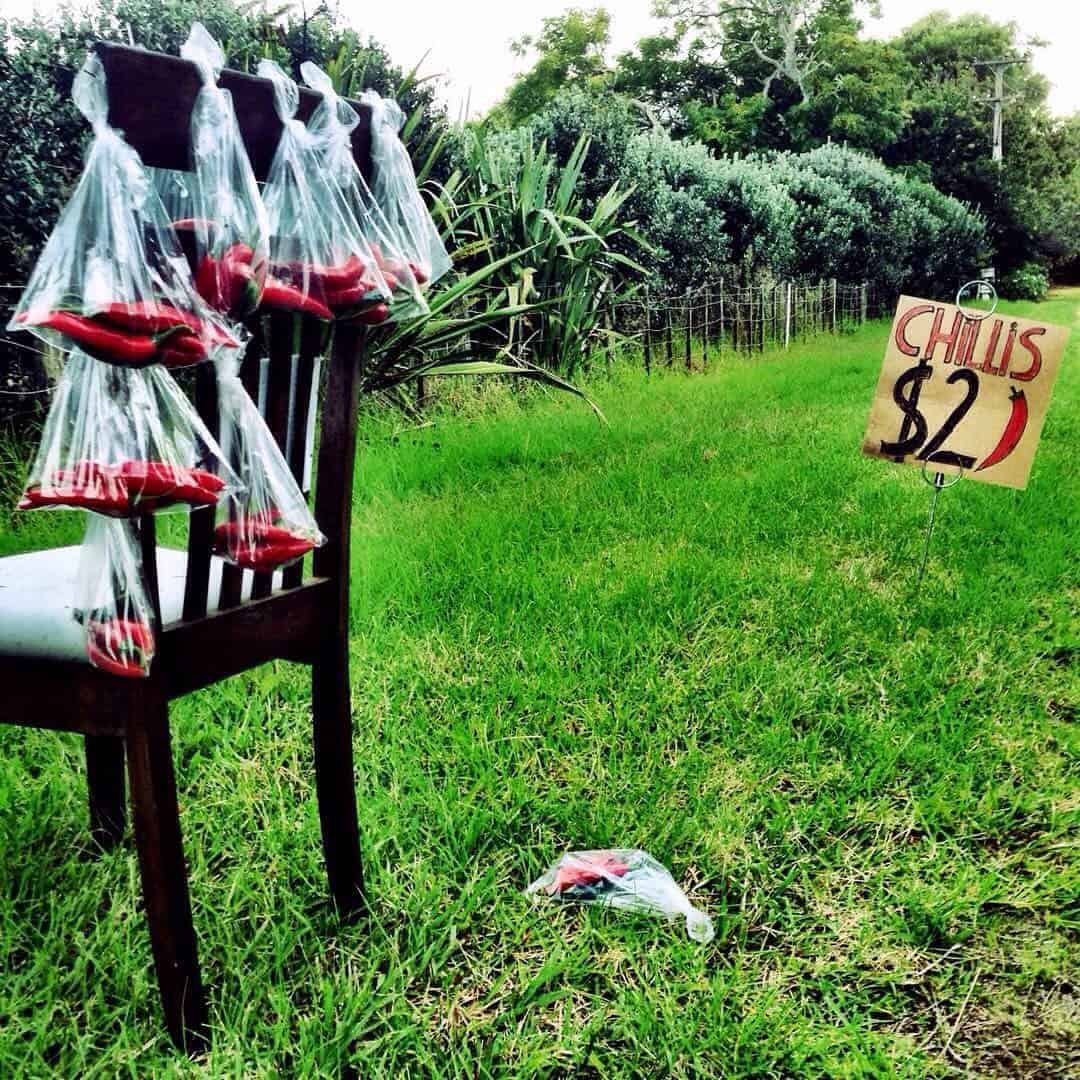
x: 165, y: 875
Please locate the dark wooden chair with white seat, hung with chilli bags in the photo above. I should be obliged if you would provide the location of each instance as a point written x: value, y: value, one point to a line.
x: 215, y: 622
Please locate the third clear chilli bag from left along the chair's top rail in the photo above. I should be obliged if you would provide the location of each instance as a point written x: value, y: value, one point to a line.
x: 320, y: 263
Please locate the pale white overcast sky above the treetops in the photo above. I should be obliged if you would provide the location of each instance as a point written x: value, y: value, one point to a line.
x: 469, y: 40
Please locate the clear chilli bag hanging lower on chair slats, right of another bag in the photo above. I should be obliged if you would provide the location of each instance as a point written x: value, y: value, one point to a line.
x: 266, y: 524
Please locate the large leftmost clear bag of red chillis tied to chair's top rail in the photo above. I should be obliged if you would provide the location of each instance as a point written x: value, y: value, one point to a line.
x: 113, y: 279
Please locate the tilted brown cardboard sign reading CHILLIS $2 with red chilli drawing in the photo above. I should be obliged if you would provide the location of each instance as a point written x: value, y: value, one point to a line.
x: 960, y: 391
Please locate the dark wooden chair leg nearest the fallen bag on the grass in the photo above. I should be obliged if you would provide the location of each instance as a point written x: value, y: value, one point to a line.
x: 332, y: 715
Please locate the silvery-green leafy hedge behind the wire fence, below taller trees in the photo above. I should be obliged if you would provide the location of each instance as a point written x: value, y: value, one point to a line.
x: 829, y: 213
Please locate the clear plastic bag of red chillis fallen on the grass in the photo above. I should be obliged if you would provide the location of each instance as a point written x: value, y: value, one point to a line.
x: 627, y: 879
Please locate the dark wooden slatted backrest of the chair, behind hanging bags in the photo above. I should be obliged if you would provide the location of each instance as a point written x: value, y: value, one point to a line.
x: 152, y: 97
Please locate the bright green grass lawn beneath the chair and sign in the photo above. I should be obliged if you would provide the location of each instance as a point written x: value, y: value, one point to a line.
x: 692, y: 632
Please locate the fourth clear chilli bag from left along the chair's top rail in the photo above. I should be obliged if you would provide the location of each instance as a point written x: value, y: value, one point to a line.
x: 332, y: 124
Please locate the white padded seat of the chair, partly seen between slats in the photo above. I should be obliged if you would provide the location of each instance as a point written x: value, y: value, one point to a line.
x: 37, y: 600
